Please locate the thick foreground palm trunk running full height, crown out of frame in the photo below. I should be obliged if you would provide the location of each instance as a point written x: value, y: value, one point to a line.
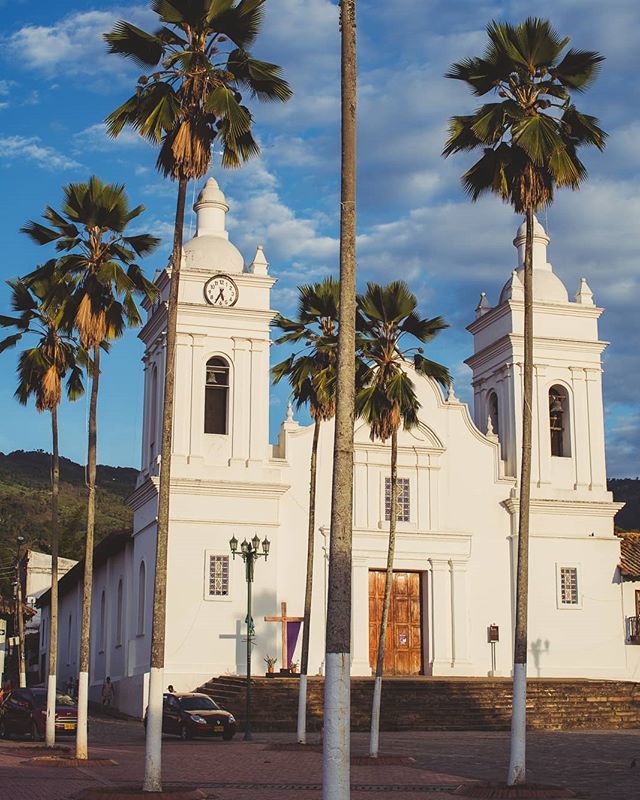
x: 337, y: 700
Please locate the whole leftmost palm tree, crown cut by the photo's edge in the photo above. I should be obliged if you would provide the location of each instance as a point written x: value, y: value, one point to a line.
x: 53, y: 357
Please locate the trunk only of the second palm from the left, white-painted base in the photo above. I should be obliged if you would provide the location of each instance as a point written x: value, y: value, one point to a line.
x: 82, y: 748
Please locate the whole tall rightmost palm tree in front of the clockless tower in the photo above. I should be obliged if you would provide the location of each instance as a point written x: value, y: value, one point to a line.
x: 530, y: 139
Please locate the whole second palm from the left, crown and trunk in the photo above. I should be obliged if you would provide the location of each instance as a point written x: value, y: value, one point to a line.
x: 103, y: 283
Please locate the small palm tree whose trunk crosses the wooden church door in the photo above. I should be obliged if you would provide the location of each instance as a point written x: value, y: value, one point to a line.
x: 386, y: 317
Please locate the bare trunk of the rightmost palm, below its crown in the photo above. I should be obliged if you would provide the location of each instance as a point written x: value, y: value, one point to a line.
x: 517, y: 761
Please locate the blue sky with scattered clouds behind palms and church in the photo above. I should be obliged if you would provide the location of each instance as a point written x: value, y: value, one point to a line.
x: 58, y: 83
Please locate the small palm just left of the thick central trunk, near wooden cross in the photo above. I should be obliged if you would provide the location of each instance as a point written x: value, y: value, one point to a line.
x: 311, y: 374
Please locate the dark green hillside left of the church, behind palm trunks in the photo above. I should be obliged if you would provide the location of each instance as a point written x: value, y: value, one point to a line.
x: 25, y: 504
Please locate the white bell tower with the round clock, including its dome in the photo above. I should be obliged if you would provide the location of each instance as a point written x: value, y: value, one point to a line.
x: 222, y: 354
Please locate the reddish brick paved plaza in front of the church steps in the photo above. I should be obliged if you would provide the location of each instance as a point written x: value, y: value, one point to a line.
x: 596, y: 765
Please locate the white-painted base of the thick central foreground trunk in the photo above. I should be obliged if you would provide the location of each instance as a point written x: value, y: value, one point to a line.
x: 336, y: 776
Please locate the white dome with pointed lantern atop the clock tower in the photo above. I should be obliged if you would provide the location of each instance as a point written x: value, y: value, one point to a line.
x: 210, y: 248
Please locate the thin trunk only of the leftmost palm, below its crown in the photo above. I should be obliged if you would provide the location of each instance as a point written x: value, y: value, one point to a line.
x: 50, y: 734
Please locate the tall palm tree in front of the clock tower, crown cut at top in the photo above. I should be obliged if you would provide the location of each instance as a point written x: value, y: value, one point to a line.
x: 198, y: 61
